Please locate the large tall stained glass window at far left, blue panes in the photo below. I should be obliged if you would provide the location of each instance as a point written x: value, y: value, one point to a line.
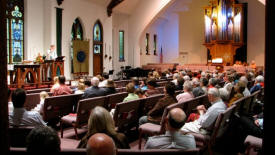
x: 15, y: 31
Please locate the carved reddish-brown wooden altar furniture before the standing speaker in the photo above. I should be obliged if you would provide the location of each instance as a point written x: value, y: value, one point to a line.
x: 35, y: 74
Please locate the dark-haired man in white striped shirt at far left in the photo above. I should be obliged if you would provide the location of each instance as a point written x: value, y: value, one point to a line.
x: 20, y: 116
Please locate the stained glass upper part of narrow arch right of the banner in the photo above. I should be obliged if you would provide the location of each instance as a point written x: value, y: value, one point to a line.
x: 97, y: 38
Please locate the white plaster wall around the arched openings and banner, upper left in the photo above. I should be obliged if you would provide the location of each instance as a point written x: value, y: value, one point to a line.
x: 40, y: 28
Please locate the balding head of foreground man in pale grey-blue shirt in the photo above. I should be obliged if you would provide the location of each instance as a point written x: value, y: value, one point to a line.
x: 176, y: 119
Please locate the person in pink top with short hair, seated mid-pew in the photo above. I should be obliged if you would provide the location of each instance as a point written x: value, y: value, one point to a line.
x: 187, y: 95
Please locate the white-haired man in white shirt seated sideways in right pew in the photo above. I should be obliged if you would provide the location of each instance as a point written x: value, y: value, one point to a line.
x: 207, y: 117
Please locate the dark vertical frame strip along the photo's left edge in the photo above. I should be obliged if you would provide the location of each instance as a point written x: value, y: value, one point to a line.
x: 4, y: 145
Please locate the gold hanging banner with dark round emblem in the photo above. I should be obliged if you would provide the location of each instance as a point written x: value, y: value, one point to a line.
x: 81, y: 56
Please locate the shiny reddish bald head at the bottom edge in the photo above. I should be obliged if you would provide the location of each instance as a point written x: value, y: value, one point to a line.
x: 99, y: 144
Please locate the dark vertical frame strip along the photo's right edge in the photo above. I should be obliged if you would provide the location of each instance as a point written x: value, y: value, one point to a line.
x: 269, y: 83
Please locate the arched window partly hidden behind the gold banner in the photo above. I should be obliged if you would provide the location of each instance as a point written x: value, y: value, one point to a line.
x: 76, y: 34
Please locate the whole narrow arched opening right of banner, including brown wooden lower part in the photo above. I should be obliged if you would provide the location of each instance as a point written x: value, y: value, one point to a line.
x: 97, y: 48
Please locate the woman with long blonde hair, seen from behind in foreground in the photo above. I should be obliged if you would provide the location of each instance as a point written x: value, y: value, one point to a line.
x: 100, y: 121
